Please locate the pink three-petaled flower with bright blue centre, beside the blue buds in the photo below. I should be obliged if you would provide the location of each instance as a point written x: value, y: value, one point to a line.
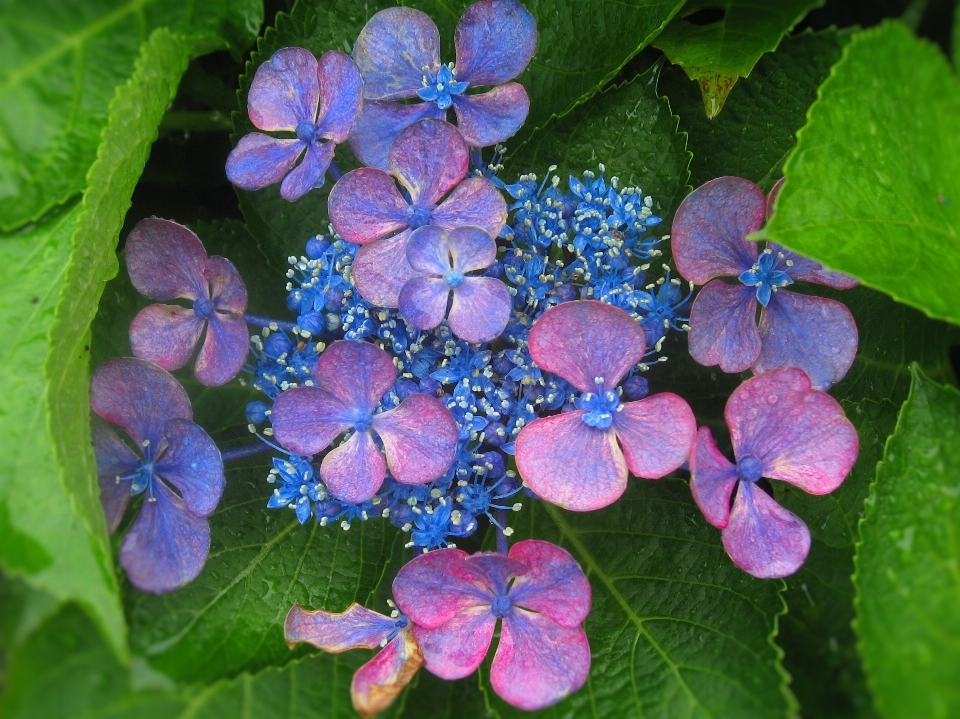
x: 573, y: 459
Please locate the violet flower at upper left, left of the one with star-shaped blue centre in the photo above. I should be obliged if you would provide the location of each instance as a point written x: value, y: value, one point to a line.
x: 293, y: 92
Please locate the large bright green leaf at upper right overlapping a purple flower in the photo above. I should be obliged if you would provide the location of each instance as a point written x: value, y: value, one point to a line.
x: 873, y: 186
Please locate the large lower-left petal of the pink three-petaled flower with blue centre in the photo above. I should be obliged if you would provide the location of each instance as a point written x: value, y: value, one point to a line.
x: 568, y: 463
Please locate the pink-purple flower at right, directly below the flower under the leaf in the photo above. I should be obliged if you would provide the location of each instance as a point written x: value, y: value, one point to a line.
x: 784, y: 429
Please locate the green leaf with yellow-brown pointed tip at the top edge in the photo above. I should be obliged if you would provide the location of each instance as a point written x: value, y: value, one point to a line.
x: 717, y: 53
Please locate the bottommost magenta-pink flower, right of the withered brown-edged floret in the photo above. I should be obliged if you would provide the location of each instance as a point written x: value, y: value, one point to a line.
x: 537, y: 589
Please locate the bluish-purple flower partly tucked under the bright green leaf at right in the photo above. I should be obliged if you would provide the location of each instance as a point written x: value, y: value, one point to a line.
x: 815, y: 334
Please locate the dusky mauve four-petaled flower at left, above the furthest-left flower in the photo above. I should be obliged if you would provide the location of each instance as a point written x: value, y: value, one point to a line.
x: 167, y: 261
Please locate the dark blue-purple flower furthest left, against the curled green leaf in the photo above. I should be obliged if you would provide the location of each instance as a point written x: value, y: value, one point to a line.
x: 168, y: 543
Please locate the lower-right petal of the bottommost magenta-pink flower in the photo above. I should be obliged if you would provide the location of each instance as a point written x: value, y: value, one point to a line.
x: 538, y: 662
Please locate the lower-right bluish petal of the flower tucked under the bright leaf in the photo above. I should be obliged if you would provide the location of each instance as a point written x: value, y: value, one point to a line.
x: 816, y: 334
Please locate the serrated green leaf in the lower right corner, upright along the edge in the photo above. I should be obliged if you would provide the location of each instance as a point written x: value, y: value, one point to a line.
x: 908, y: 560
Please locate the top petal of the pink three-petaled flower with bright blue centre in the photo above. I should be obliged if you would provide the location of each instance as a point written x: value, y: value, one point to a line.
x: 583, y: 340
